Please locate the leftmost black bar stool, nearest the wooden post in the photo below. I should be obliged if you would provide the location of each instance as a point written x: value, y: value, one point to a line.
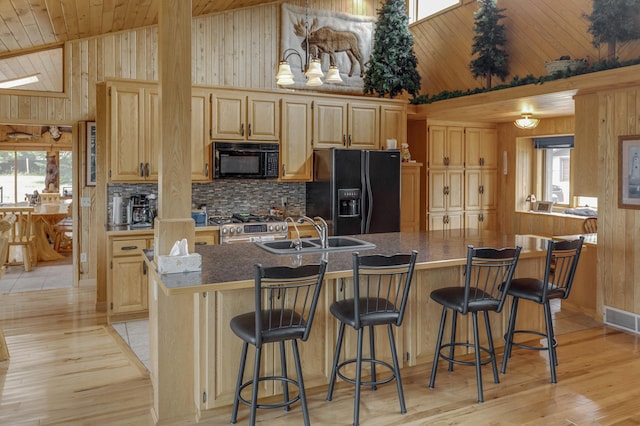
x: 285, y: 300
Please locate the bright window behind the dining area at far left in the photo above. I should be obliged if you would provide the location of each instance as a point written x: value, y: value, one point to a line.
x: 22, y: 172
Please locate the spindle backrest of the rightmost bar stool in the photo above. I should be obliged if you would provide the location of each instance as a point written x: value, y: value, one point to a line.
x: 560, y: 267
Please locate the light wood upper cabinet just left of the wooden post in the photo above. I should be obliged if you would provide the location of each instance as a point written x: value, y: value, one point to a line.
x: 133, y: 132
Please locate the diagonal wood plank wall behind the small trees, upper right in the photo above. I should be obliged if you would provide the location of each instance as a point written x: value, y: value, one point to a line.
x: 537, y: 32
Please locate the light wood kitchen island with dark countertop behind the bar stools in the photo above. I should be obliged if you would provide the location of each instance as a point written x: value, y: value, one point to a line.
x: 194, y: 355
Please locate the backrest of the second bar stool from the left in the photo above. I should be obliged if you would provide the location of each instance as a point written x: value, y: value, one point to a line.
x: 381, y: 287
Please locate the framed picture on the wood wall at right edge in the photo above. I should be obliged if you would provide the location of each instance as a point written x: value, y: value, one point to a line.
x: 629, y: 172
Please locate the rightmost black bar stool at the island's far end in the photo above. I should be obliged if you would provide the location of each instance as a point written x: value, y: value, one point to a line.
x: 559, y: 271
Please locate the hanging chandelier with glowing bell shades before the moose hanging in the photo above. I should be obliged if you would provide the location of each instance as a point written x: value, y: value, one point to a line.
x: 311, y: 66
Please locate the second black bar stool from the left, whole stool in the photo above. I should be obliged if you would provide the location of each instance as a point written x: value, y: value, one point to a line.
x: 380, y: 292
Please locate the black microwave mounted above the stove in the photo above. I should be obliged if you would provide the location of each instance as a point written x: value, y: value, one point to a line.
x: 255, y: 160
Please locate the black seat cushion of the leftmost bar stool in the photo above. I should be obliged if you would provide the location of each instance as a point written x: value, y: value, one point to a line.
x: 244, y: 326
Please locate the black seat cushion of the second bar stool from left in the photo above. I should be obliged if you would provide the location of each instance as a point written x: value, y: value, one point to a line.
x: 344, y: 310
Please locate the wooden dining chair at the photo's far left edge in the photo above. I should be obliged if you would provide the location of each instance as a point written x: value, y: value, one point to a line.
x: 21, y: 235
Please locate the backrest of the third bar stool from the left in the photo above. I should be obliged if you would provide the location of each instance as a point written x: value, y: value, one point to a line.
x: 488, y: 275
